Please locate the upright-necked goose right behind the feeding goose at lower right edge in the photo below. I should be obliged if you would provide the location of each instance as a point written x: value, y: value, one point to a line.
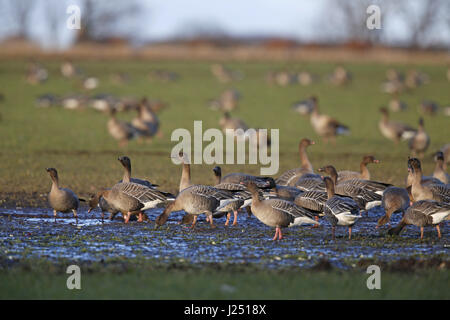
x: 437, y: 192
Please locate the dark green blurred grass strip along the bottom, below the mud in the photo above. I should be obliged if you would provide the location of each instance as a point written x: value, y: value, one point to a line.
x: 176, y: 284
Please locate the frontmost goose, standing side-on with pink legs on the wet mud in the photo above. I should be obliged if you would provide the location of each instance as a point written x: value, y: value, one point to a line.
x: 278, y: 213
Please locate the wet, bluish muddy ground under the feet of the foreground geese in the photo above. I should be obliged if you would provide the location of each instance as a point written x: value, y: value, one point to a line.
x: 32, y: 233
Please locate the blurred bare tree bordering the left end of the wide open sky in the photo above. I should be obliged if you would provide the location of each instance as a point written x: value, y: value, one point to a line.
x: 100, y: 19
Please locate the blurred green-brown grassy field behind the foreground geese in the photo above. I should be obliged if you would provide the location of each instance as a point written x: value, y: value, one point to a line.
x: 77, y: 142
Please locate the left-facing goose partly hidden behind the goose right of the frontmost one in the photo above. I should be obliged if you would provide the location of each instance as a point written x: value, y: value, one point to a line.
x: 355, y: 189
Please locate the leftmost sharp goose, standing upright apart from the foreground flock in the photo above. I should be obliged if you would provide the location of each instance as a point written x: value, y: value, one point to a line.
x: 61, y: 199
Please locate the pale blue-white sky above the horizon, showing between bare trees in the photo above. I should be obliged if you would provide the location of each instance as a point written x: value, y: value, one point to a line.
x: 162, y: 19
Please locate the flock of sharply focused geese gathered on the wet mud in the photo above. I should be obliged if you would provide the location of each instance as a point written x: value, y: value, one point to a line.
x: 297, y: 197
